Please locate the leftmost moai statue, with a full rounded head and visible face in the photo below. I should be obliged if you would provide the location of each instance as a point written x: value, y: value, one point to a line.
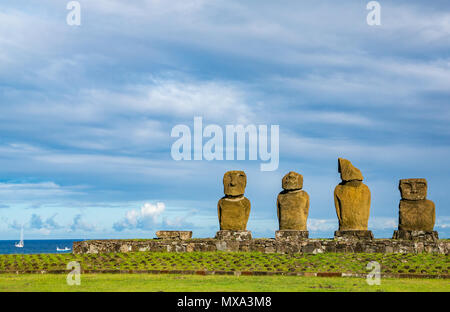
x: 234, y: 208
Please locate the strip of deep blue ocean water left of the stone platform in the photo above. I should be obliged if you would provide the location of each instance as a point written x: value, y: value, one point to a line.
x: 36, y: 246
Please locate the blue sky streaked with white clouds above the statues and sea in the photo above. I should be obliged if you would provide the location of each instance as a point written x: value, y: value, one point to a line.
x: 86, y: 112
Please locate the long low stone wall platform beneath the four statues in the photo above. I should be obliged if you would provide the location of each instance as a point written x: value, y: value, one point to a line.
x: 266, y: 245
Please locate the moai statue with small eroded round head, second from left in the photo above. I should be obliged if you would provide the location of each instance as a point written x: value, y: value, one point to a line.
x: 292, y: 208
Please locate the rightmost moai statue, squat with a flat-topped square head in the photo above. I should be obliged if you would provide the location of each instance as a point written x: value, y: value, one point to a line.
x: 417, y: 214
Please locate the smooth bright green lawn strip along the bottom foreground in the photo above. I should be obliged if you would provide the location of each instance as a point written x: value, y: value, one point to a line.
x: 192, y: 283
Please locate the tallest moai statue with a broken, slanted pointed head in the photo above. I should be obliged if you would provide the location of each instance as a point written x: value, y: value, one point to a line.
x: 352, y: 202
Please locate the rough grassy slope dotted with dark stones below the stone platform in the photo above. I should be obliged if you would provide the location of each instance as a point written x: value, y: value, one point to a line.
x: 434, y: 264
